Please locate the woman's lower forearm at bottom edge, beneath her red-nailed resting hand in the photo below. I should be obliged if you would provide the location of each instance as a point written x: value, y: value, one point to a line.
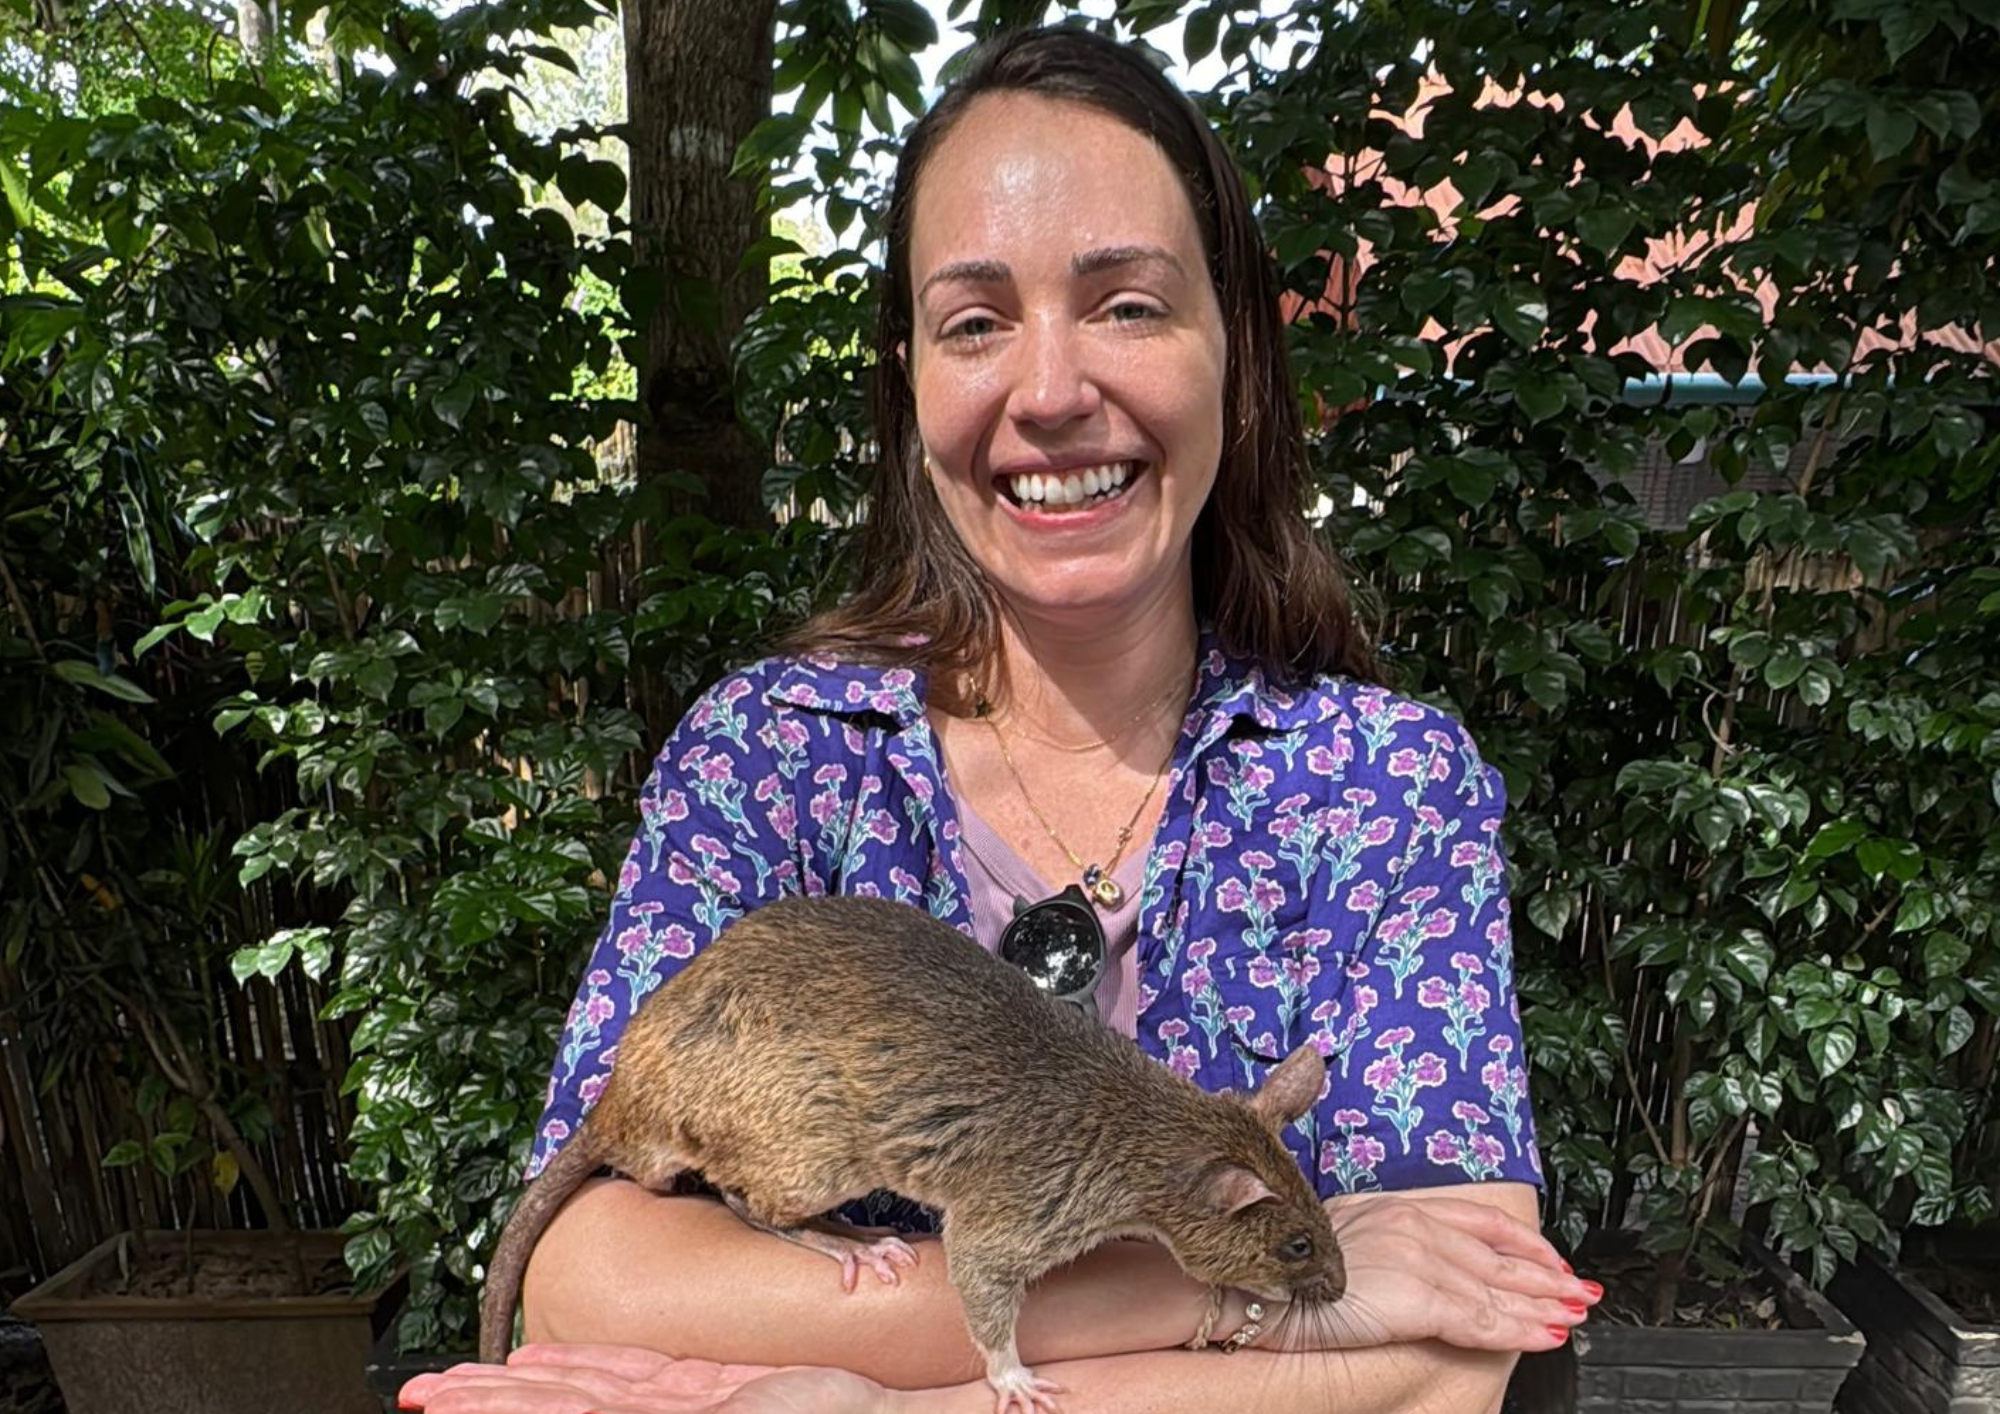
x: 1419, y: 1379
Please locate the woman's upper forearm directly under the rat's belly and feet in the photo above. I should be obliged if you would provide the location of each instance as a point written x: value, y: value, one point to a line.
x: 681, y: 1275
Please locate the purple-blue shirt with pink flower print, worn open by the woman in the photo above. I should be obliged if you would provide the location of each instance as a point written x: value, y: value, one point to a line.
x: 1327, y: 871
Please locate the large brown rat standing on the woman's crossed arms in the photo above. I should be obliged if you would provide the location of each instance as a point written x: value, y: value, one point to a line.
x: 833, y: 1047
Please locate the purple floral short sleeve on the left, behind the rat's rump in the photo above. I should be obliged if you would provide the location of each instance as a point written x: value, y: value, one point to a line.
x: 715, y: 839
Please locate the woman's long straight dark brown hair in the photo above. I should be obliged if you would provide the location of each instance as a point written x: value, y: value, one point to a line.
x: 1263, y: 579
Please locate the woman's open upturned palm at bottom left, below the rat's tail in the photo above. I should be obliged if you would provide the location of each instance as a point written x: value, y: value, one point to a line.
x: 551, y: 1379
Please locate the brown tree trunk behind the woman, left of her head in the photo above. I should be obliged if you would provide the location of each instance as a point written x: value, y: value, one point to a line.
x: 699, y: 79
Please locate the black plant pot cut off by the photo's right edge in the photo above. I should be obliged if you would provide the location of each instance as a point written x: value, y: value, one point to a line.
x: 1923, y: 1357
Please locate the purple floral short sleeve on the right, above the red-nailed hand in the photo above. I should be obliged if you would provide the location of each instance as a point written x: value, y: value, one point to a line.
x: 1443, y: 1083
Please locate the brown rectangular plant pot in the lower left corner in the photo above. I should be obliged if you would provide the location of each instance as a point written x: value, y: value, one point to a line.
x: 193, y: 1355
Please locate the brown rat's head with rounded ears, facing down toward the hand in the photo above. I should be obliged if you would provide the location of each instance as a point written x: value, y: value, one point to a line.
x: 1249, y: 1217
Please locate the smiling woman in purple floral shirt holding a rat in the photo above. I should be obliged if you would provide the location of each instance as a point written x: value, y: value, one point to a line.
x: 1097, y: 661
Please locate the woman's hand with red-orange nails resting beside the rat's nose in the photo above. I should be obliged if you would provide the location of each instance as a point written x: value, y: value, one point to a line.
x: 1441, y: 1269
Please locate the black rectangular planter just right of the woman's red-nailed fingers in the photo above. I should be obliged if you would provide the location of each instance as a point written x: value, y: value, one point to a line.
x: 1649, y: 1371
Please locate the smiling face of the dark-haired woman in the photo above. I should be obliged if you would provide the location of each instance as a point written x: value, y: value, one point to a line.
x: 1067, y: 357
